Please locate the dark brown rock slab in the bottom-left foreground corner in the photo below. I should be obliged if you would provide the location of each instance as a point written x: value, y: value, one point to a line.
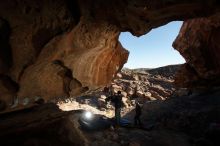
x: 41, y: 125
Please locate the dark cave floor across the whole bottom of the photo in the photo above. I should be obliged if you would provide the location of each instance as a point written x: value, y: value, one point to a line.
x: 183, y: 121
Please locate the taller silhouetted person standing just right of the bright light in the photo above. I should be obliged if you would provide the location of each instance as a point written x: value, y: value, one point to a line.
x: 117, y: 100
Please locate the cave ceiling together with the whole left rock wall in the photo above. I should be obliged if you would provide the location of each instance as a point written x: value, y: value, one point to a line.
x: 53, y: 48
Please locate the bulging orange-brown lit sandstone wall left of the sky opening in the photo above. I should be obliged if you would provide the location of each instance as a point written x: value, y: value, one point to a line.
x: 73, y: 61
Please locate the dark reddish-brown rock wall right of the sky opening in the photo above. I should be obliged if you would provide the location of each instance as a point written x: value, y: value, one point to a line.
x: 198, y: 42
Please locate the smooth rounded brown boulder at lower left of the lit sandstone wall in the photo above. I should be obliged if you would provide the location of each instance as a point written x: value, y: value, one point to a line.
x: 43, y: 80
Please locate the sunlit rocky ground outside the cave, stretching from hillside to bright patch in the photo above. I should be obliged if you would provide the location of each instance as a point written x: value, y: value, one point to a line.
x: 143, y: 85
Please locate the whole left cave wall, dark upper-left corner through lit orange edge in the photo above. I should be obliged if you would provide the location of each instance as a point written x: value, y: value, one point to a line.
x: 50, y: 53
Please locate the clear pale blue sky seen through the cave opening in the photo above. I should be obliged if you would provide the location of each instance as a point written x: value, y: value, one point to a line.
x: 153, y: 49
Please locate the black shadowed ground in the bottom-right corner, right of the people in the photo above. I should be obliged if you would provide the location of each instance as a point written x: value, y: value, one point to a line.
x: 193, y: 119
